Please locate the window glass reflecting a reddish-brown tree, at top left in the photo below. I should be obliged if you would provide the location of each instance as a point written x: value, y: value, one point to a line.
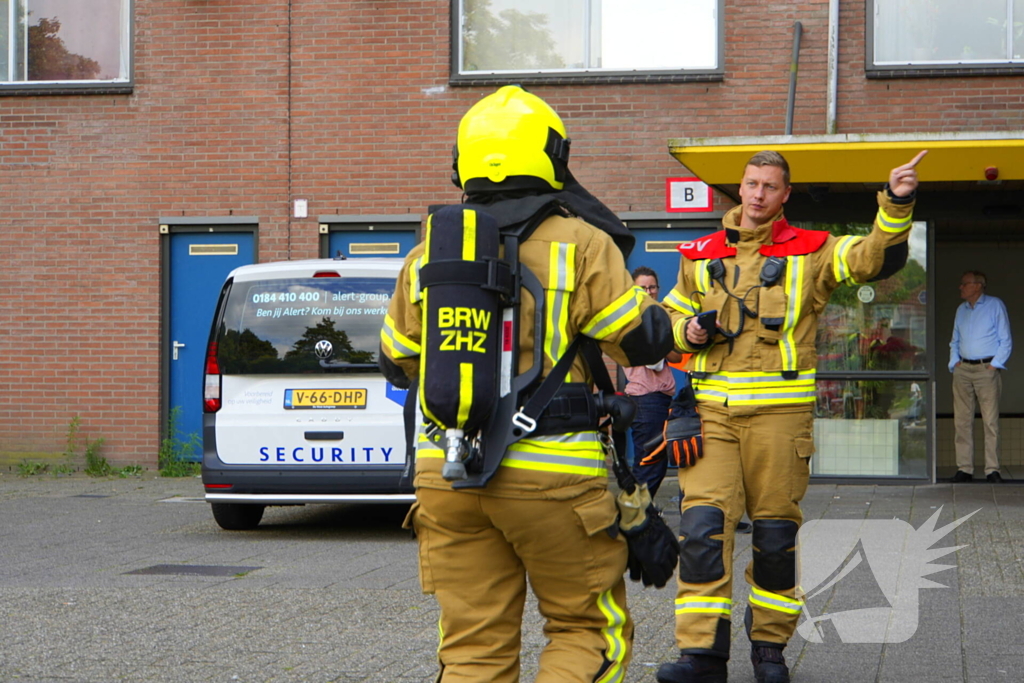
x: 65, y: 44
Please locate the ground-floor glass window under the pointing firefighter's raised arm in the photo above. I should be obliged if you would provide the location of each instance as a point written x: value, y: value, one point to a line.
x: 871, y: 417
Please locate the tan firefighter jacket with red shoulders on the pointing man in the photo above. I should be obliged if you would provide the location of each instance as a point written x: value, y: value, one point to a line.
x: 772, y: 364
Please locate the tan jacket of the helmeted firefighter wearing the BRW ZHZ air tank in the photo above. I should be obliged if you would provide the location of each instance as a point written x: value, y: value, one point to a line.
x: 588, y: 291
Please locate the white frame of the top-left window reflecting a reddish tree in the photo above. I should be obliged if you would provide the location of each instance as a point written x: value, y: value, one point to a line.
x: 120, y: 83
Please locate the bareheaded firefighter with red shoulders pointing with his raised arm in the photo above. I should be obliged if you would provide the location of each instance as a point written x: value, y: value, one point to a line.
x: 763, y: 285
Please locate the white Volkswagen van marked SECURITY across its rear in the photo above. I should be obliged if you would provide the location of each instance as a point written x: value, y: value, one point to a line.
x: 295, y: 409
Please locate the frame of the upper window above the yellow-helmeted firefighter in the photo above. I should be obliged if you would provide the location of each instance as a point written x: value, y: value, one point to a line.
x: 586, y: 75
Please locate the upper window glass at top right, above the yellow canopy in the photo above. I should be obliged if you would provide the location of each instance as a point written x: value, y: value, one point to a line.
x: 948, y: 33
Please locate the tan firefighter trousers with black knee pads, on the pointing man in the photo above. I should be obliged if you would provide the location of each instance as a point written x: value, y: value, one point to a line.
x: 759, y: 464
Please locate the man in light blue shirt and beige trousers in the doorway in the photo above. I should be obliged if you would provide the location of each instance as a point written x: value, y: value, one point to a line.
x: 978, y: 354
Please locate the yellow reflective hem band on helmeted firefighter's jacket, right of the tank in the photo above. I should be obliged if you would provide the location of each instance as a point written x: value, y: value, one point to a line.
x: 579, y: 453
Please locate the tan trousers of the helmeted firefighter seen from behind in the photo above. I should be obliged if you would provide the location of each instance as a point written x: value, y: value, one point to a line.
x: 477, y: 551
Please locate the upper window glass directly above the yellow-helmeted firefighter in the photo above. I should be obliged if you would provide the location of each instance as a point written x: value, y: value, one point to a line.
x: 559, y: 38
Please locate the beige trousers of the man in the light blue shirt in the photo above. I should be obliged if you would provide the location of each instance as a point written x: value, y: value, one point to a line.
x: 978, y: 386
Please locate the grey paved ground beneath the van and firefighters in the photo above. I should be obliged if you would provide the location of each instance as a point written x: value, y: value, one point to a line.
x: 131, y: 580
